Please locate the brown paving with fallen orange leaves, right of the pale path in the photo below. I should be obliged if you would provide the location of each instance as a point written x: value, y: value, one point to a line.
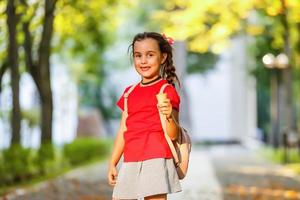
x: 245, y: 175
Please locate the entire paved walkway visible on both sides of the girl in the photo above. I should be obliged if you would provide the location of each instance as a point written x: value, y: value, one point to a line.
x: 215, y: 173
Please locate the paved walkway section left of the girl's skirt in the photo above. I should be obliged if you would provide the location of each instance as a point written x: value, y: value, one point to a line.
x: 85, y: 183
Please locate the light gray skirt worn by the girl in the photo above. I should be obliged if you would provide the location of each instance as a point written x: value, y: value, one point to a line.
x: 146, y: 178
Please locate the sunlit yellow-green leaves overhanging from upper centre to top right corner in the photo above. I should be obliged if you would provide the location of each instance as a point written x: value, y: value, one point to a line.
x: 208, y: 25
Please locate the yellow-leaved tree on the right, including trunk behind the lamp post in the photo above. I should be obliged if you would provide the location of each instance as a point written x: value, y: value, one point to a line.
x: 209, y: 25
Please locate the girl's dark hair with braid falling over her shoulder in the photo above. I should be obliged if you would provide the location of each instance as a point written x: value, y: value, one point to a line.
x: 167, y: 69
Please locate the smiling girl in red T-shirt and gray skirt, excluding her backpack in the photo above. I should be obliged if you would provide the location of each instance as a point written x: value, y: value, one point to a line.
x: 148, y: 170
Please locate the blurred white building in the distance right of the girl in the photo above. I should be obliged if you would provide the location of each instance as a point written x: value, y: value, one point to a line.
x: 222, y: 103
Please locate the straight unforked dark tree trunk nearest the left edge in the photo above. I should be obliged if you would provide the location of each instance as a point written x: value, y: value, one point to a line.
x: 13, y: 64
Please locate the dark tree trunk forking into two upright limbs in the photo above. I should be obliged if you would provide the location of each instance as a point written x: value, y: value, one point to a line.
x: 40, y: 69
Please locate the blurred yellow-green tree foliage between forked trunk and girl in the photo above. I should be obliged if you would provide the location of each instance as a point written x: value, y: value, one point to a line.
x: 82, y: 40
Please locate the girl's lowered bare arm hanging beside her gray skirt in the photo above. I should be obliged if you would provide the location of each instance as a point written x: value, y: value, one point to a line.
x: 117, y: 152
